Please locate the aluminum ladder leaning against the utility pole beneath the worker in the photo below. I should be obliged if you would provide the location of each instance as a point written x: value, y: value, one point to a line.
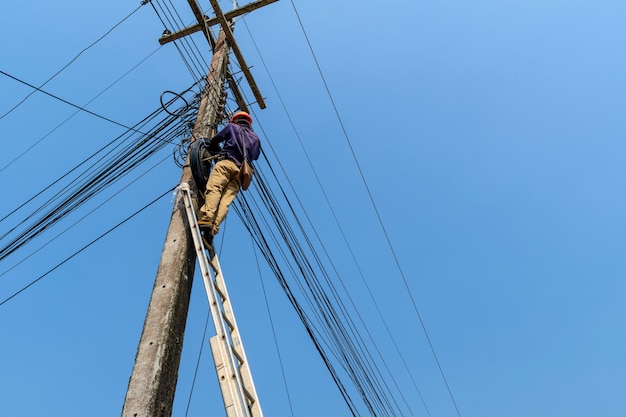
x: 231, y: 365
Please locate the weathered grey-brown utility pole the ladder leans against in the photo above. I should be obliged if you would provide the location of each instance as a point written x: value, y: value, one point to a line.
x: 153, y: 380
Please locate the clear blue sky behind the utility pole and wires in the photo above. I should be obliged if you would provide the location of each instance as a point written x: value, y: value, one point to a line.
x: 490, y: 136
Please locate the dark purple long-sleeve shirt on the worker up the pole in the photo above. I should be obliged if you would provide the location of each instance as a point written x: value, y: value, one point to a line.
x: 231, y: 135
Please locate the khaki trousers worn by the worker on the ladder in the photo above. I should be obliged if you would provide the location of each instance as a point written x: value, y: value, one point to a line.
x: 221, y: 189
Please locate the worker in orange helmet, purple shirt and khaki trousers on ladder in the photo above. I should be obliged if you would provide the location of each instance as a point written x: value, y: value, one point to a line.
x: 223, y: 183
